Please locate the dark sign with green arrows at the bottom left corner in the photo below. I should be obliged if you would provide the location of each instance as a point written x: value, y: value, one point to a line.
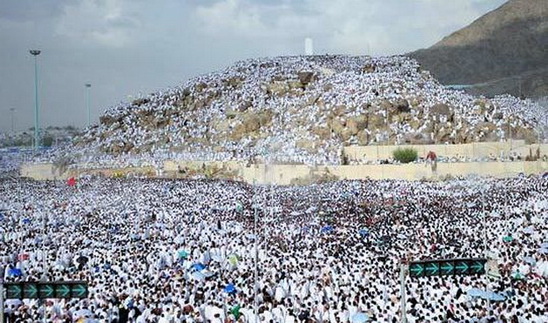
x: 43, y: 290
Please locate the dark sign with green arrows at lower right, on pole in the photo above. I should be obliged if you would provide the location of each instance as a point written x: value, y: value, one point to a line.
x: 444, y: 267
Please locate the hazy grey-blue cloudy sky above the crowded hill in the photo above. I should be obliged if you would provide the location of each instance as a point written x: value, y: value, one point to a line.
x: 127, y: 47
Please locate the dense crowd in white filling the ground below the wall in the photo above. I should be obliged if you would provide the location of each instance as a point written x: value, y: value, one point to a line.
x: 183, y: 251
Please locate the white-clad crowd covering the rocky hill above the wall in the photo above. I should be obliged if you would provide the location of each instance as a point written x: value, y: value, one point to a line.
x: 173, y: 122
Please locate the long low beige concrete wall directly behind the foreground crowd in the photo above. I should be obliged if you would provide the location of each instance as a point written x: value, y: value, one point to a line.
x: 286, y: 174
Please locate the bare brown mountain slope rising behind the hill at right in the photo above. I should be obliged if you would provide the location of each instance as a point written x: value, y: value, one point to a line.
x: 504, y: 51
